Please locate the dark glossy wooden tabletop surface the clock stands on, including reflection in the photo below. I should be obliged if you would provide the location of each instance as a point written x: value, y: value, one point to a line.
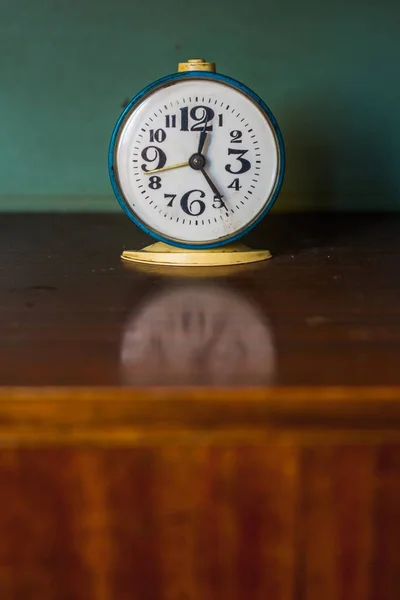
x: 324, y: 311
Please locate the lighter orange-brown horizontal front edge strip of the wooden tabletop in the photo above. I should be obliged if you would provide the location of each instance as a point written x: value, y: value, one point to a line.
x: 129, y: 417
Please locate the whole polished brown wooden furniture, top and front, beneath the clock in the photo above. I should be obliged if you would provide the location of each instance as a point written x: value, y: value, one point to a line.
x: 223, y: 436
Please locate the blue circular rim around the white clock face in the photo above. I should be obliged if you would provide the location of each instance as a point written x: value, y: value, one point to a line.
x: 196, y: 75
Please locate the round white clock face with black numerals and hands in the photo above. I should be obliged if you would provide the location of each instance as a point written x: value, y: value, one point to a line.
x: 196, y: 162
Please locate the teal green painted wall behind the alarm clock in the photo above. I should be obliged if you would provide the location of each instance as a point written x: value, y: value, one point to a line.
x: 328, y: 69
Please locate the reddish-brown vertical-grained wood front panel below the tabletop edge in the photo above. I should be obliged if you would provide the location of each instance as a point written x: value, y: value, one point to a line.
x: 278, y: 520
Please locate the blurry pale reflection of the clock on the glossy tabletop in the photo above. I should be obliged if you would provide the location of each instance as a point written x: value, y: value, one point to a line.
x: 197, y: 334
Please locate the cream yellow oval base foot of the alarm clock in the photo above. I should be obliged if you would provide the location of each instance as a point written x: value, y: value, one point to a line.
x: 164, y: 254
